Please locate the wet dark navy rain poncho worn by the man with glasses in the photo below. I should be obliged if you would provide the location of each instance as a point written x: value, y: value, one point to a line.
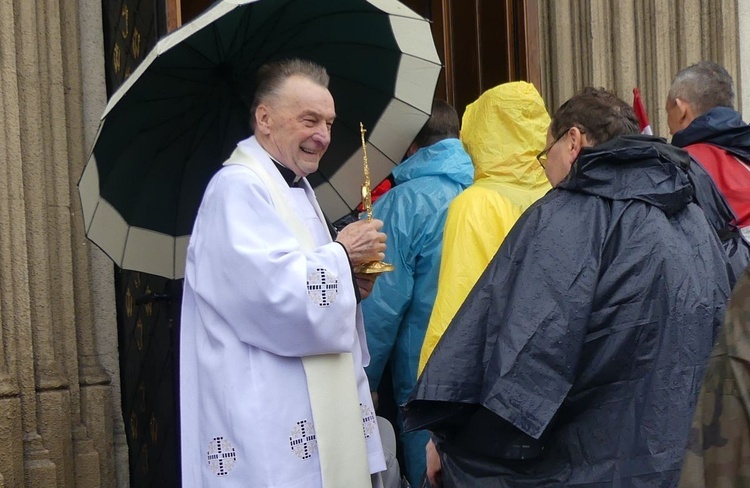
x: 588, y: 334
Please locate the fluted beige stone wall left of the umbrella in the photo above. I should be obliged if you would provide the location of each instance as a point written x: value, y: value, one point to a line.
x: 56, y: 399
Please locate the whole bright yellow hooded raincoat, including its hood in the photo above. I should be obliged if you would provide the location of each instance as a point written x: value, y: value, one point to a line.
x: 503, y: 131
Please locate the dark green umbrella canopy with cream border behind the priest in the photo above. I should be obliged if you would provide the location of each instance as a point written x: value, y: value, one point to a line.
x: 178, y: 117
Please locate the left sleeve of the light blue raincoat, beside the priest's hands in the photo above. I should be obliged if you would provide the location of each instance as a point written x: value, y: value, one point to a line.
x: 384, y: 309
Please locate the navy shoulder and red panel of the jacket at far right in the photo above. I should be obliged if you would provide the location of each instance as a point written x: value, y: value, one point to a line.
x: 720, y: 141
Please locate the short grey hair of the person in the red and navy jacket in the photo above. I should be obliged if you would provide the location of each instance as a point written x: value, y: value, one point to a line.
x: 703, y: 86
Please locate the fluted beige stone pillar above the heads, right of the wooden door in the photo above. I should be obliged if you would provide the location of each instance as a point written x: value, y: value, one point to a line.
x: 625, y: 44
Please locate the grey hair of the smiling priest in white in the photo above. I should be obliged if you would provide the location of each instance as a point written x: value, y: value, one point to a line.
x: 271, y: 76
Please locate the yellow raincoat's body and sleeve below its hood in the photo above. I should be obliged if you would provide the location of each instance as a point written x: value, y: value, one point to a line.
x: 477, y: 223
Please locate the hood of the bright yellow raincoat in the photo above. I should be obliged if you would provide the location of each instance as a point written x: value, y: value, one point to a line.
x: 503, y: 131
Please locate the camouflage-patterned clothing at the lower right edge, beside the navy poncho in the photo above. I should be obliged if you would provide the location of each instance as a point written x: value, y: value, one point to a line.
x: 718, y: 452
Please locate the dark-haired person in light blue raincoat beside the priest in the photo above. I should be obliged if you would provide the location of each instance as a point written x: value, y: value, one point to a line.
x: 398, y: 310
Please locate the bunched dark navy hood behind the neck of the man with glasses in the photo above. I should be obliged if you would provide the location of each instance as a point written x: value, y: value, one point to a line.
x: 634, y: 167
